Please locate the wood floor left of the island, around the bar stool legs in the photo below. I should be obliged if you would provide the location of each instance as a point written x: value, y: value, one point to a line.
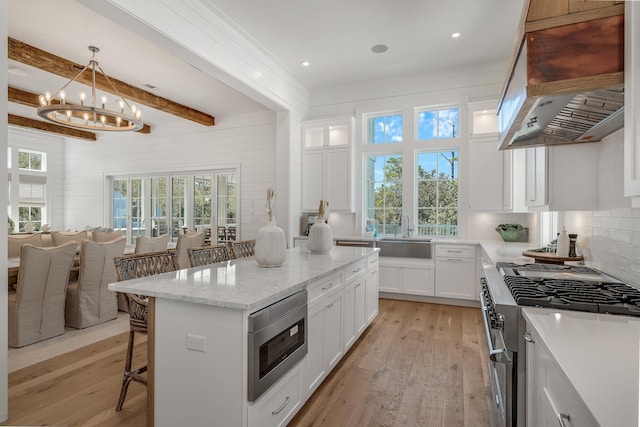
x: 79, y: 388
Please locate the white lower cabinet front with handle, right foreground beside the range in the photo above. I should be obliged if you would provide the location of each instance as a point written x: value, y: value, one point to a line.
x: 551, y: 400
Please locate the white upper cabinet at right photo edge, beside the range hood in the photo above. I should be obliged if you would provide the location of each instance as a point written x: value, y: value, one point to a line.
x: 632, y: 101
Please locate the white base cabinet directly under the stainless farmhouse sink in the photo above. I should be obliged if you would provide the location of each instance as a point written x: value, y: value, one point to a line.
x: 406, y: 275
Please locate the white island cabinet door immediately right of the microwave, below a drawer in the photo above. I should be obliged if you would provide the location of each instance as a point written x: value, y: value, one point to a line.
x: 325, y: 344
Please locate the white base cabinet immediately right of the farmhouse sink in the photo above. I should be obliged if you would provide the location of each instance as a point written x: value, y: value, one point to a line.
x: 456, y: 271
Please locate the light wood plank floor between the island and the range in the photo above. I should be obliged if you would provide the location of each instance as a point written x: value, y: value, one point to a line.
x: 416, y: 365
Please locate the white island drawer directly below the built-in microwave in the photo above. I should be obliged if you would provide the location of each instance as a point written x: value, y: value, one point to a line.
x: 278, y: 405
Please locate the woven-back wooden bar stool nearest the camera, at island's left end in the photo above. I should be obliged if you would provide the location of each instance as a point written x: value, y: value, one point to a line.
x: 132, y: 267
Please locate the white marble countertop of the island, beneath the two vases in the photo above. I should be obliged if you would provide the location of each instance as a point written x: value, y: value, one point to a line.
x: 242, y: 283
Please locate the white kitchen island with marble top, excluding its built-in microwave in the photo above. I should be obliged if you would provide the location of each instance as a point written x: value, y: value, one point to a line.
x: 211, y: 305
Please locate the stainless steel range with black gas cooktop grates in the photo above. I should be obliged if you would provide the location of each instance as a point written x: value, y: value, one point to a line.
x: 506, y: 288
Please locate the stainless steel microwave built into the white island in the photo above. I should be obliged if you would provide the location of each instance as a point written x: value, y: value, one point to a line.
x: 277, y: 341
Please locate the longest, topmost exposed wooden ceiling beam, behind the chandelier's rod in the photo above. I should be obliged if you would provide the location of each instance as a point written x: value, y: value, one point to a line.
x: 38, y: 58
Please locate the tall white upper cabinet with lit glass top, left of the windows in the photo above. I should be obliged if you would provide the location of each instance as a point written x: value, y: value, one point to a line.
x: 327, y: 164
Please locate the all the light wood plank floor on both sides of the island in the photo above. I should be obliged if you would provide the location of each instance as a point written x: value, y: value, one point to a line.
x: 417, y: 365
